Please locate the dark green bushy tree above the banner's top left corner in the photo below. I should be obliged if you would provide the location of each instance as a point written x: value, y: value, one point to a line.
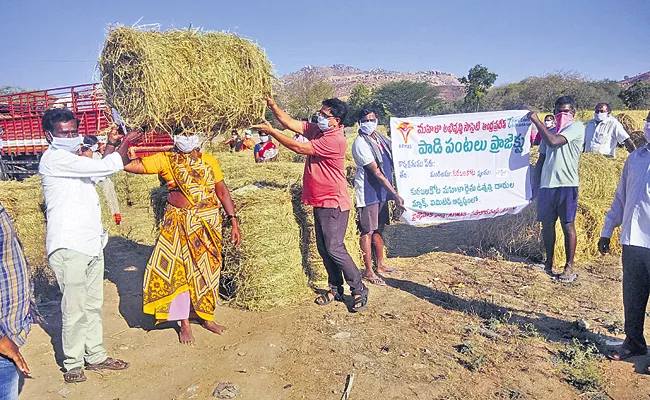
x: 407, y: 99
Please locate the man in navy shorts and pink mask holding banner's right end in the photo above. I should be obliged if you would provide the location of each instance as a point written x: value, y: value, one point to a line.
x: 557, y: 174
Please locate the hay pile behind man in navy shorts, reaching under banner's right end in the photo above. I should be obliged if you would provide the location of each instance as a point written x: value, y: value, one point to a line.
x: 521, y: 234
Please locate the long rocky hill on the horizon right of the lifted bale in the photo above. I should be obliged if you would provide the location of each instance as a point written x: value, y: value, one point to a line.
x: 344, y: 78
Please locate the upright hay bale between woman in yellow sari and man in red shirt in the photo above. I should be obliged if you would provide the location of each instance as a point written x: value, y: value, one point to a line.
x: 267, y: 270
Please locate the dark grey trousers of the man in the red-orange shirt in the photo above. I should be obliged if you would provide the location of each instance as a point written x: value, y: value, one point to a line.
x: 330, y: 225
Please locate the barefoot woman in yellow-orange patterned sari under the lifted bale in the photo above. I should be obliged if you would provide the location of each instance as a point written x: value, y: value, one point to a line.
x: 182, y: 276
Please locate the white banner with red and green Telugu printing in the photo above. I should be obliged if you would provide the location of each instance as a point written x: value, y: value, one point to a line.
x: 462, y: 166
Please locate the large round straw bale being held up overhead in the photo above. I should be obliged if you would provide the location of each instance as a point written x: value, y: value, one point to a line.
x: 207, y: 82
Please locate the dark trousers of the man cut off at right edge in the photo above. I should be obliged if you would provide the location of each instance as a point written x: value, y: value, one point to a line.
x: 636, y: 288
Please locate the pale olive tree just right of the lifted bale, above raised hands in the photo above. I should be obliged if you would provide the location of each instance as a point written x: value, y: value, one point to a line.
x: 304, y: 95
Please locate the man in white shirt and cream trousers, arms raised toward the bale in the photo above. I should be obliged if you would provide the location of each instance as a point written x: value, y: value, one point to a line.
x: 75, y: 239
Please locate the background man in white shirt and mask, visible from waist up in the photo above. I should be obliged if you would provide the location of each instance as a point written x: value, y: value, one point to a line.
x: 604, y: 132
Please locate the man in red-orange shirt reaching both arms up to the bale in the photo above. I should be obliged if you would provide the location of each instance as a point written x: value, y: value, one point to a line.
x: 326, y: 189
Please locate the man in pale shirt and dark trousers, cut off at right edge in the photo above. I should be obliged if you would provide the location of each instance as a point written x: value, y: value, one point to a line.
x: 631, y: 210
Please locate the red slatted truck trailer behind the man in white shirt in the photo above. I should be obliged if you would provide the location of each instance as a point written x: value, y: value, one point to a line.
x: 23, y: 141
